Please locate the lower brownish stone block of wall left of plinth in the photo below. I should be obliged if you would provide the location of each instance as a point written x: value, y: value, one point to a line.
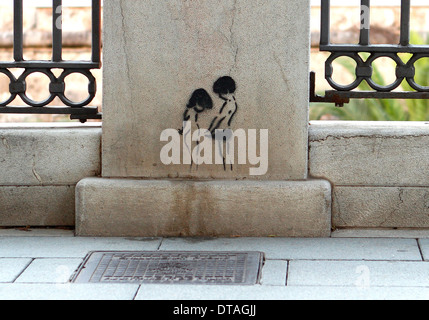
x: 37, y: 206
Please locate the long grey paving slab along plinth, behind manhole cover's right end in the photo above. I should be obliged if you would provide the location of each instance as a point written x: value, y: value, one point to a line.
x: 313, y: 249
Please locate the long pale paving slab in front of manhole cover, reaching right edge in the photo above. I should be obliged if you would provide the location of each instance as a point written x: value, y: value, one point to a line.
x: 230, y: 293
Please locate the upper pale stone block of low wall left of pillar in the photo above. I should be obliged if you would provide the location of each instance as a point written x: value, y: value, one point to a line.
x: 48, y: 155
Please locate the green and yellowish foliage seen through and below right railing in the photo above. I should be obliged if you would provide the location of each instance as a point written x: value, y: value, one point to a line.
x: 377, y: 109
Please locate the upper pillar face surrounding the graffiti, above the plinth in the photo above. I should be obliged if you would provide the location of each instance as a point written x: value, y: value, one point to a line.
x: 159, y: 52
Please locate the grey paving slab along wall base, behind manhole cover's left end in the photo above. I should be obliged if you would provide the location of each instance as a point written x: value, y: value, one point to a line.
x: 70, y: 247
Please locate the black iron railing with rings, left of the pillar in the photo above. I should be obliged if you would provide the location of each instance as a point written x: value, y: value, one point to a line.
x: 57, y: 86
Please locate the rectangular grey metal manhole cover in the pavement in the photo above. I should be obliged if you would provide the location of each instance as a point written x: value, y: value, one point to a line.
x: 229, y: 268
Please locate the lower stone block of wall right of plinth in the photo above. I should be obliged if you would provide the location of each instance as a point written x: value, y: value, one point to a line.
x: 380, y: 207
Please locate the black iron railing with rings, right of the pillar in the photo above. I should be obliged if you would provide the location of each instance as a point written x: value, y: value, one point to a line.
x: 364, y: 67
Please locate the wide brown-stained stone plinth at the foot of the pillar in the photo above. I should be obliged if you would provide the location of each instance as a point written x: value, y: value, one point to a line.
x: 142, y: 208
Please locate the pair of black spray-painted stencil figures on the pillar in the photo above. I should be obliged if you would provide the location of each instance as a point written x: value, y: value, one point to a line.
x: 200, y: 103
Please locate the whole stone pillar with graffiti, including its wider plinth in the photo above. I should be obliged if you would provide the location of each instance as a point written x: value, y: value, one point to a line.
x: 176, y: 71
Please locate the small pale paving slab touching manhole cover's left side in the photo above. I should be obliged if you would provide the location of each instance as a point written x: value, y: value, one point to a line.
x: 51, y: 270
